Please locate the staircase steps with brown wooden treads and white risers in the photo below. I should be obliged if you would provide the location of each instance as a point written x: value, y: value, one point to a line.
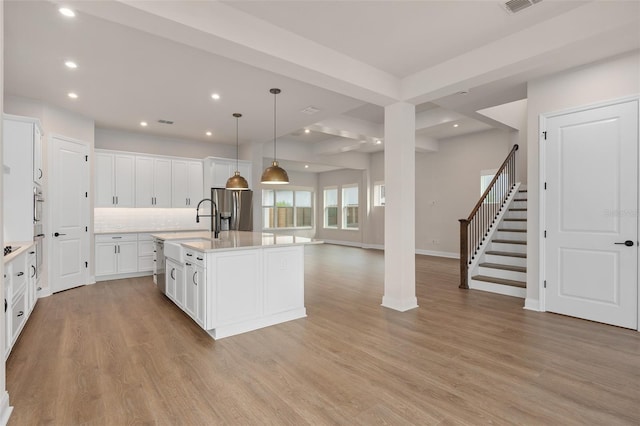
x: 502, y: 266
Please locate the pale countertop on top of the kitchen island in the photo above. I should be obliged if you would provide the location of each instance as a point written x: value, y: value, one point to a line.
x: 235, y: 240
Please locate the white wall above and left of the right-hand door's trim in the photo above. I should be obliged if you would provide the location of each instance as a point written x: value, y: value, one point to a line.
x: 611, y: 79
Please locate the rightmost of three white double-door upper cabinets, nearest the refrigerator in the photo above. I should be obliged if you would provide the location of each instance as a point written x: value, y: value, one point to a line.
x: 187, y: 183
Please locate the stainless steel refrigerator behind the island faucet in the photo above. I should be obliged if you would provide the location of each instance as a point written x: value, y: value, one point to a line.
x: 235, y: 207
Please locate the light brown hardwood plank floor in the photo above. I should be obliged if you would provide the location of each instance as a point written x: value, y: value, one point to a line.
x: 119, y: 352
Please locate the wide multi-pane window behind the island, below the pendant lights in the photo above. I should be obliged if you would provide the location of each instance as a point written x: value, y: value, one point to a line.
x: 287, y: 209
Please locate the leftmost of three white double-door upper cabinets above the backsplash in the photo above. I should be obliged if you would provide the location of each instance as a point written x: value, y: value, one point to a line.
x: 115, y: 180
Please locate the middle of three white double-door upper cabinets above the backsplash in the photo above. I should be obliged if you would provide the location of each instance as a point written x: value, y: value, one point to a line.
x: 153, y: 182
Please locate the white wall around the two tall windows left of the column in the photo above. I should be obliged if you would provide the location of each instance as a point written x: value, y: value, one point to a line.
x: 339, y: 178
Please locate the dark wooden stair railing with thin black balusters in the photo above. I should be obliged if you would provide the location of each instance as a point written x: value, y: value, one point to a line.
x: 476, y: 226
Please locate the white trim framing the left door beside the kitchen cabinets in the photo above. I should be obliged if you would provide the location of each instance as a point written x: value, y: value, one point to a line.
x: 48, y: 223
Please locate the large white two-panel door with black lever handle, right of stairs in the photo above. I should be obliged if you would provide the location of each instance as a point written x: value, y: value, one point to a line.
x: 591, y: 210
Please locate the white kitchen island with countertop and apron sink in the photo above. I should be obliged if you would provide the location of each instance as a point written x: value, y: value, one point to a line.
x: 239, y: 282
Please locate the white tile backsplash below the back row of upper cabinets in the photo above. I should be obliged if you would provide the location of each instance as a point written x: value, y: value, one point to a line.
x: 140, y: 220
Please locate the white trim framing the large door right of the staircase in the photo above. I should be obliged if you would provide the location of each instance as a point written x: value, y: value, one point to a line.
x: 542, y: 124
